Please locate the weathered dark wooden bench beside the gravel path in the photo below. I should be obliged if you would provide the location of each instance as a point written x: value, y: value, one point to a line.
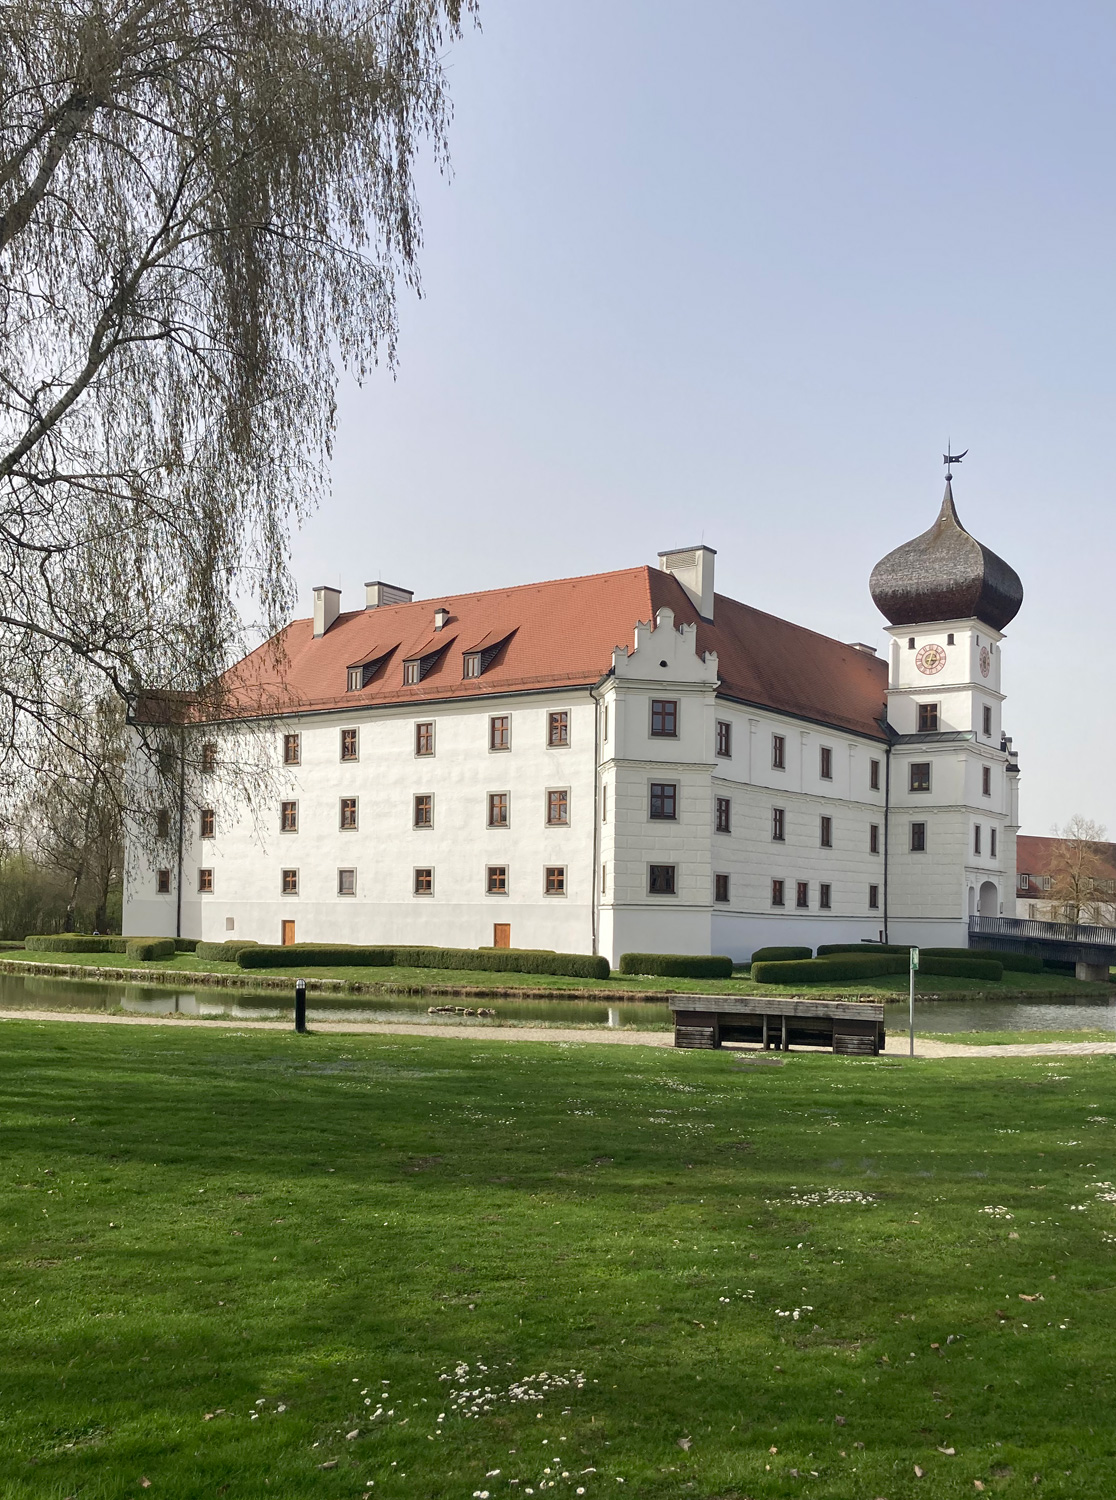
x: 853, y: 1028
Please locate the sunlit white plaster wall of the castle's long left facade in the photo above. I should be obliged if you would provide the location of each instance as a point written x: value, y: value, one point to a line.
x: 386, y: 848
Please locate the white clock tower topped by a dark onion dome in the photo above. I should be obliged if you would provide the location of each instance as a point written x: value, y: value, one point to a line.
x: 953, y: 778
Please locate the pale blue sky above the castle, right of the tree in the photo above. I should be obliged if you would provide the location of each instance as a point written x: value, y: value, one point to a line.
x: 736, y: 272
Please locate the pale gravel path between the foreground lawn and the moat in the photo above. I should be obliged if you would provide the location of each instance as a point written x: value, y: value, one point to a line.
x: 898, y: 1045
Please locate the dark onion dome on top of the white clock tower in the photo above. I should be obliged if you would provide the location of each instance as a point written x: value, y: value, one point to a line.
x: 946, y: 575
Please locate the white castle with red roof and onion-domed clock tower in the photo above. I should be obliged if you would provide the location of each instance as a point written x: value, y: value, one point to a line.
x: 626, y: 761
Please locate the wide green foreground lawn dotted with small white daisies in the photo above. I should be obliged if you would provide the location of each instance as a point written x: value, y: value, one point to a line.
x: 260, y: 1265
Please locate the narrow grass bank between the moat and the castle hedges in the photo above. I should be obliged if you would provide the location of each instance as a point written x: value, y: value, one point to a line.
x: 422, y: 980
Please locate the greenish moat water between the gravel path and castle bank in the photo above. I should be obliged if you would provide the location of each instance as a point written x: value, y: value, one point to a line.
x: 931, y: 1016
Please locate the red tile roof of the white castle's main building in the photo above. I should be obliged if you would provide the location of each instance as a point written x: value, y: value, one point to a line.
x: 562, y: 635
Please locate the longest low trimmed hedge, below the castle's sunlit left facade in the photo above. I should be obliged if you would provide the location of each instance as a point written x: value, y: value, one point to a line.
x: 499, y: 961
